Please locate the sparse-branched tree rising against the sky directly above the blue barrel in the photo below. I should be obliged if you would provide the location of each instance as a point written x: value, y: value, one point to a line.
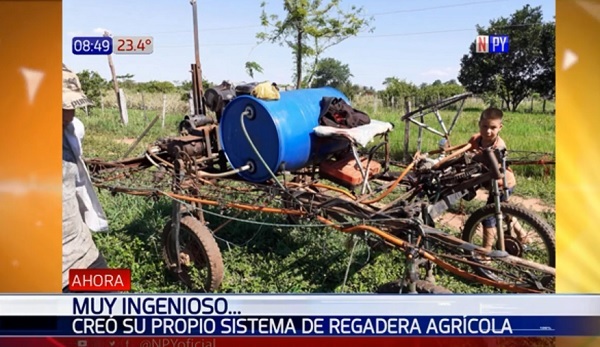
x: 309, y: 28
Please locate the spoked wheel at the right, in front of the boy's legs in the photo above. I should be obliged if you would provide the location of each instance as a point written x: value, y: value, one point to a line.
x: 526, y: 235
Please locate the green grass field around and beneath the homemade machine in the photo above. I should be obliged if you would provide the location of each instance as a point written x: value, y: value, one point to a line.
x: 285, y: 258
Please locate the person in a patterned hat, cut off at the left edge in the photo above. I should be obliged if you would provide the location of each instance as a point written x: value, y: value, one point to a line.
x: 82, y: 212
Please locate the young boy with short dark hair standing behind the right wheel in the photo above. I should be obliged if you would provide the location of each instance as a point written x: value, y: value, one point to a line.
x: 490, y: 124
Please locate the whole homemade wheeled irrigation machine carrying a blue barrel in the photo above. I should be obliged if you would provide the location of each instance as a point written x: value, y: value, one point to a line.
x: 276, y: 154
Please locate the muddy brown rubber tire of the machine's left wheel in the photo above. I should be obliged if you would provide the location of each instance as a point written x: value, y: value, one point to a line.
x: 209, y: 251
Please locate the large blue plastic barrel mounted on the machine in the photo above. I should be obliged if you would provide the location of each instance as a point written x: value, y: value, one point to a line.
x: 281, y: 130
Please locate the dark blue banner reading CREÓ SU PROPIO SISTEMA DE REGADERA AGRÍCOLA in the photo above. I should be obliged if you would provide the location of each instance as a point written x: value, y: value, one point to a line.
x: 301, y: 326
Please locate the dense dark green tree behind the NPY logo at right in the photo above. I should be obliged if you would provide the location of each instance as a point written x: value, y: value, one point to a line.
x: 513, y: 75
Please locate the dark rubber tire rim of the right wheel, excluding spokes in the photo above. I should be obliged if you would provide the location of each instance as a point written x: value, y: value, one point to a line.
x: 544, y: 229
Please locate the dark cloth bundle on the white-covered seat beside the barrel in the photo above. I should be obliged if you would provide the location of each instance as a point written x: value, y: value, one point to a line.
x: 335, y: 112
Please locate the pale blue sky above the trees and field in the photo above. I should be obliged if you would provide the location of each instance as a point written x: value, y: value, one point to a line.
x: 419, y: 42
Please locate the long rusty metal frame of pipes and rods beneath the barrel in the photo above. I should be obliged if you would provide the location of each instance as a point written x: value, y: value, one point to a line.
x: 396, y: 223
